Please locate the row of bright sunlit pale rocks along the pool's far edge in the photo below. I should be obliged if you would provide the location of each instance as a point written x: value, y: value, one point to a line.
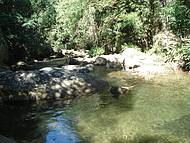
x: 133, y: 60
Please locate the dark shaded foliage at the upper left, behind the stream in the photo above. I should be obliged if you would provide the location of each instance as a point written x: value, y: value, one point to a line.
x: 23, y: 42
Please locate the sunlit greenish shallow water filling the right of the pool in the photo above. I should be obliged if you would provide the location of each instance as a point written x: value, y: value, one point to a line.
x: 154, y: 111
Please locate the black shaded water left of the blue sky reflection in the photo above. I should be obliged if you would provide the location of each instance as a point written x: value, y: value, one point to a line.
x: 18, y: 122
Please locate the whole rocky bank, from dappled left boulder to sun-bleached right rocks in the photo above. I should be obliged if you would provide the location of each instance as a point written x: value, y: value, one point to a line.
x: 69, y: 78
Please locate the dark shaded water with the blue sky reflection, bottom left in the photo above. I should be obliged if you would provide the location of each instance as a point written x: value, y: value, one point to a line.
x: 28, y: 124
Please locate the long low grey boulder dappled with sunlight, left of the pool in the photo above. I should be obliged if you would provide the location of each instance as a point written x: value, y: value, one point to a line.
x: 48, y: 83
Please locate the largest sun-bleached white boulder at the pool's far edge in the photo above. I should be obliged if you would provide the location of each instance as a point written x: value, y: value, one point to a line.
x: 143, y: 63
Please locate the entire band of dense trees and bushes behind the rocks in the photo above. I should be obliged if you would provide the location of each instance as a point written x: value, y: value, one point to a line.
x: 30, y: 29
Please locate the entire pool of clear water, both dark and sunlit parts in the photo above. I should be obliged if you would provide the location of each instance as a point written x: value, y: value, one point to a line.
x: 156, y: 110
